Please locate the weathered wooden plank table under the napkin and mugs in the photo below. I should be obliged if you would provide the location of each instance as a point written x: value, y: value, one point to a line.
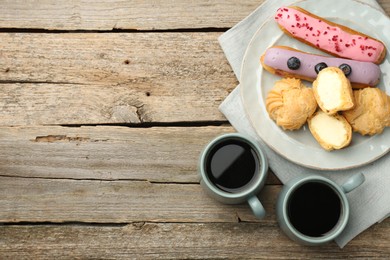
x: 105, y: 107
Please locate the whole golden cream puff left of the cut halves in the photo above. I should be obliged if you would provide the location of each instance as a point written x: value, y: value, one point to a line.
x: 289, y: 103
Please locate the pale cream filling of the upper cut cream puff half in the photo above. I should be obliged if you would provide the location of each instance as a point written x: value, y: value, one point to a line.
x: 329, y: 89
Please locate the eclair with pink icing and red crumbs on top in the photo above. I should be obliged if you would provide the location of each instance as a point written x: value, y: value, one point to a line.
x: 329, y: 37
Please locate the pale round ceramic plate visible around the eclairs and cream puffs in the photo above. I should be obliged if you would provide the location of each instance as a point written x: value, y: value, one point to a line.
x: 300, y: 146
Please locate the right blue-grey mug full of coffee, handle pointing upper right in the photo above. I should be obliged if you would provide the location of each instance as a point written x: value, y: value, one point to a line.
x: 299, y: 199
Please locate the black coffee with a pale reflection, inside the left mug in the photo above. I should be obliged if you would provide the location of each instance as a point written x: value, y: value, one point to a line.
x: 231, y: 165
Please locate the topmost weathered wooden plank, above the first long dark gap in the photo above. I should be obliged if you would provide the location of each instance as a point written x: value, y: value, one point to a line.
x: 139, y: 15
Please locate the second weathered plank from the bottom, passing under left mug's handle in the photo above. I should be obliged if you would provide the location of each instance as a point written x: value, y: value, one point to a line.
x: 96, y: 201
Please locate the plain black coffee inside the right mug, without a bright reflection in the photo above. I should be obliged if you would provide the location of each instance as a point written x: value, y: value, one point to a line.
x: 314, y: 209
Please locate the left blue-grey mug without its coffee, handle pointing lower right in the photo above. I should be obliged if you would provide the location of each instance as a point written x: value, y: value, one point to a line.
x: 249, y: 194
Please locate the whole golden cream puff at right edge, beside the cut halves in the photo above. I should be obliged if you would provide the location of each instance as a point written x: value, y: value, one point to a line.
x: 371, y: 113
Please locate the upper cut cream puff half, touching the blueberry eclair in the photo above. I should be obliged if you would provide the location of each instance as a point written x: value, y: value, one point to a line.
x: 333, y: 91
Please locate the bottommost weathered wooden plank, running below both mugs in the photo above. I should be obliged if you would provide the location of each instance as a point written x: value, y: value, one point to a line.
x: 180, y: 241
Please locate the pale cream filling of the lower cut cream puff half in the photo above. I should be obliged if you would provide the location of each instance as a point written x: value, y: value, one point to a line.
x: 329, y: 129
